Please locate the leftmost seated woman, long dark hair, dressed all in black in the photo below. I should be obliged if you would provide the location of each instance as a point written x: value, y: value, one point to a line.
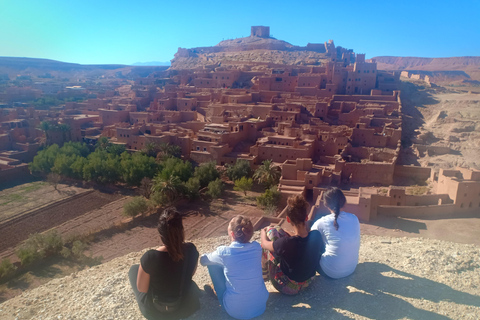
x: 162, y: 283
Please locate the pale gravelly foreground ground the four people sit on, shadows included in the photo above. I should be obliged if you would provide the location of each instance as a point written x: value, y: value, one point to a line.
x: 397, y: 278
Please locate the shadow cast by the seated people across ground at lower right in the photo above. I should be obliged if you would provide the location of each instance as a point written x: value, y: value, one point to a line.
x: 374, y: 291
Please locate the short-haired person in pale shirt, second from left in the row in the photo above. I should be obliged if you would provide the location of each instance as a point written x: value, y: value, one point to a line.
x: 236, y: 272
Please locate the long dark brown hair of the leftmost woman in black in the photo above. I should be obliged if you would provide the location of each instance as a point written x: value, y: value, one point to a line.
x: 171, y: 232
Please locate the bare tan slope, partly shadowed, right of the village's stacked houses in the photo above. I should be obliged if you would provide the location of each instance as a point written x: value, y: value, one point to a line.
x: 439, y: 117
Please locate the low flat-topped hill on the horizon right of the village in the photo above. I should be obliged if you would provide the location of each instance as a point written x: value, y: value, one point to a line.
x: 470, y: 65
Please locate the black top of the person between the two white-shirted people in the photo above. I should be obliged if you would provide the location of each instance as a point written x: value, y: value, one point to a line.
x: 299, y: 257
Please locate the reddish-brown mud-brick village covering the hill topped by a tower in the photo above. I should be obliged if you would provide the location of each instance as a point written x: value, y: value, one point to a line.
x: 323, y: 113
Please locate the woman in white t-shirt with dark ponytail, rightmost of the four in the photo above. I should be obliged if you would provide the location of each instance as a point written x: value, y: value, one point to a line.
x: 341, y: 233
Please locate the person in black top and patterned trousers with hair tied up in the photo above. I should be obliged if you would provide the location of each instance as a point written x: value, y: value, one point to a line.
x: 290, y: 260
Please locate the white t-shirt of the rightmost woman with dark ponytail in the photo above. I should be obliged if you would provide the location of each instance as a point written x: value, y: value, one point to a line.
x: 341, y: 246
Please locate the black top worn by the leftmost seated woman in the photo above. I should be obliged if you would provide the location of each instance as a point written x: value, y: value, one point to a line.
x: 165, y: 274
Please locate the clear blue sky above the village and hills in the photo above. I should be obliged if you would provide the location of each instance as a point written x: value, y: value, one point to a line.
x: 129, y: 31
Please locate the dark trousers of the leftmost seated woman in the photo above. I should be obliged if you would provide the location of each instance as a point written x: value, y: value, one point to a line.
x: 190, y: 301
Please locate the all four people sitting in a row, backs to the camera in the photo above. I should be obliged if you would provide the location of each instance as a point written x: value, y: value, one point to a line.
x: 163, y: 284
